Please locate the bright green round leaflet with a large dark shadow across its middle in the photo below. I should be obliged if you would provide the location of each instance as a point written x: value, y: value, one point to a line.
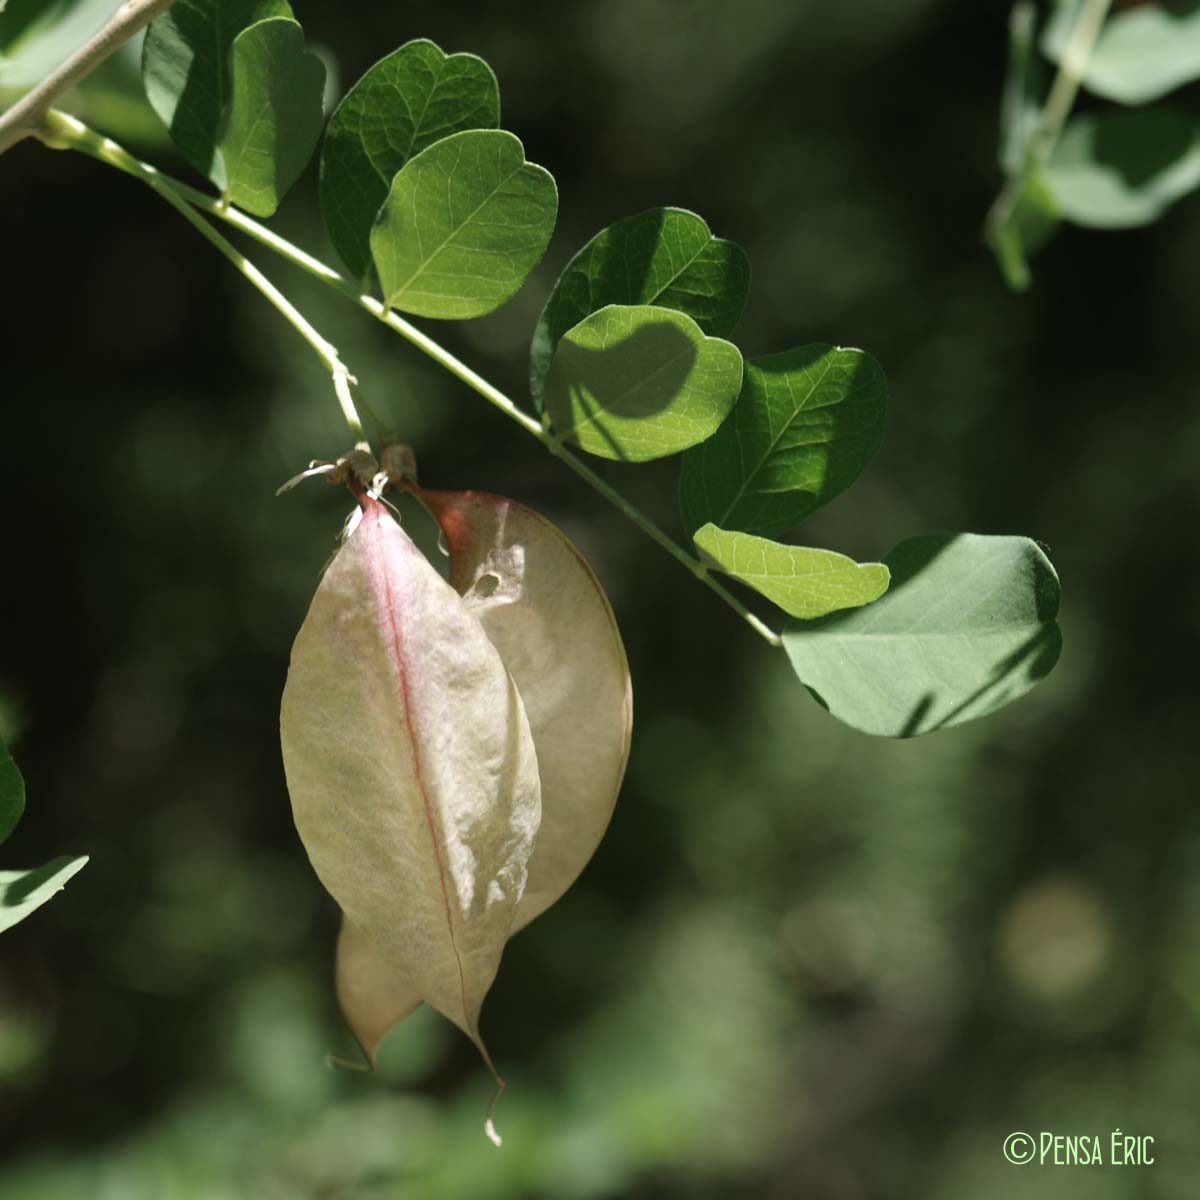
x: 635, y: 383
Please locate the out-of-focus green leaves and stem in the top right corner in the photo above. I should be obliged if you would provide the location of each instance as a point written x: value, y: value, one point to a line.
x: 1109, y: 170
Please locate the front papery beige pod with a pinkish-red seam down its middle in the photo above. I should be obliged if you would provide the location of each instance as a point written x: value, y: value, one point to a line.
x: 412, y: 769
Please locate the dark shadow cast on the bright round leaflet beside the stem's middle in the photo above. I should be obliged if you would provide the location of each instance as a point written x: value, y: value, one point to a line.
x: 614, y: 382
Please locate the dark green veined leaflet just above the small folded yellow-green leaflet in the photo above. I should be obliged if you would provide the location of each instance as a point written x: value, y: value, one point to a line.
x: 805, y: 427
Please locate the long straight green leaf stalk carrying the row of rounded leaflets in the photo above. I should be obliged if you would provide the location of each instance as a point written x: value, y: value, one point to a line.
x: 68, y: 133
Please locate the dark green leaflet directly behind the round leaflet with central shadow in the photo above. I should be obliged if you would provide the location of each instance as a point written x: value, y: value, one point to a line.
x: 667, y: 257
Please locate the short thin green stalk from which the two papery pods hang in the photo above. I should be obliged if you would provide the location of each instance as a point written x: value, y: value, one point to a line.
x: 65, y: 133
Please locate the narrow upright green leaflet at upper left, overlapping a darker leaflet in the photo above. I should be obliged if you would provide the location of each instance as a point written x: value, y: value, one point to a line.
x: 275, y: 115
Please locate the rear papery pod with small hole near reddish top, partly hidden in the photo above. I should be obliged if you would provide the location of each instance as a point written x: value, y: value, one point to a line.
x: 544, y: 610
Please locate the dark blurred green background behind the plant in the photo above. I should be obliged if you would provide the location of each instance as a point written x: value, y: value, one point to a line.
x: 805, y: 964
